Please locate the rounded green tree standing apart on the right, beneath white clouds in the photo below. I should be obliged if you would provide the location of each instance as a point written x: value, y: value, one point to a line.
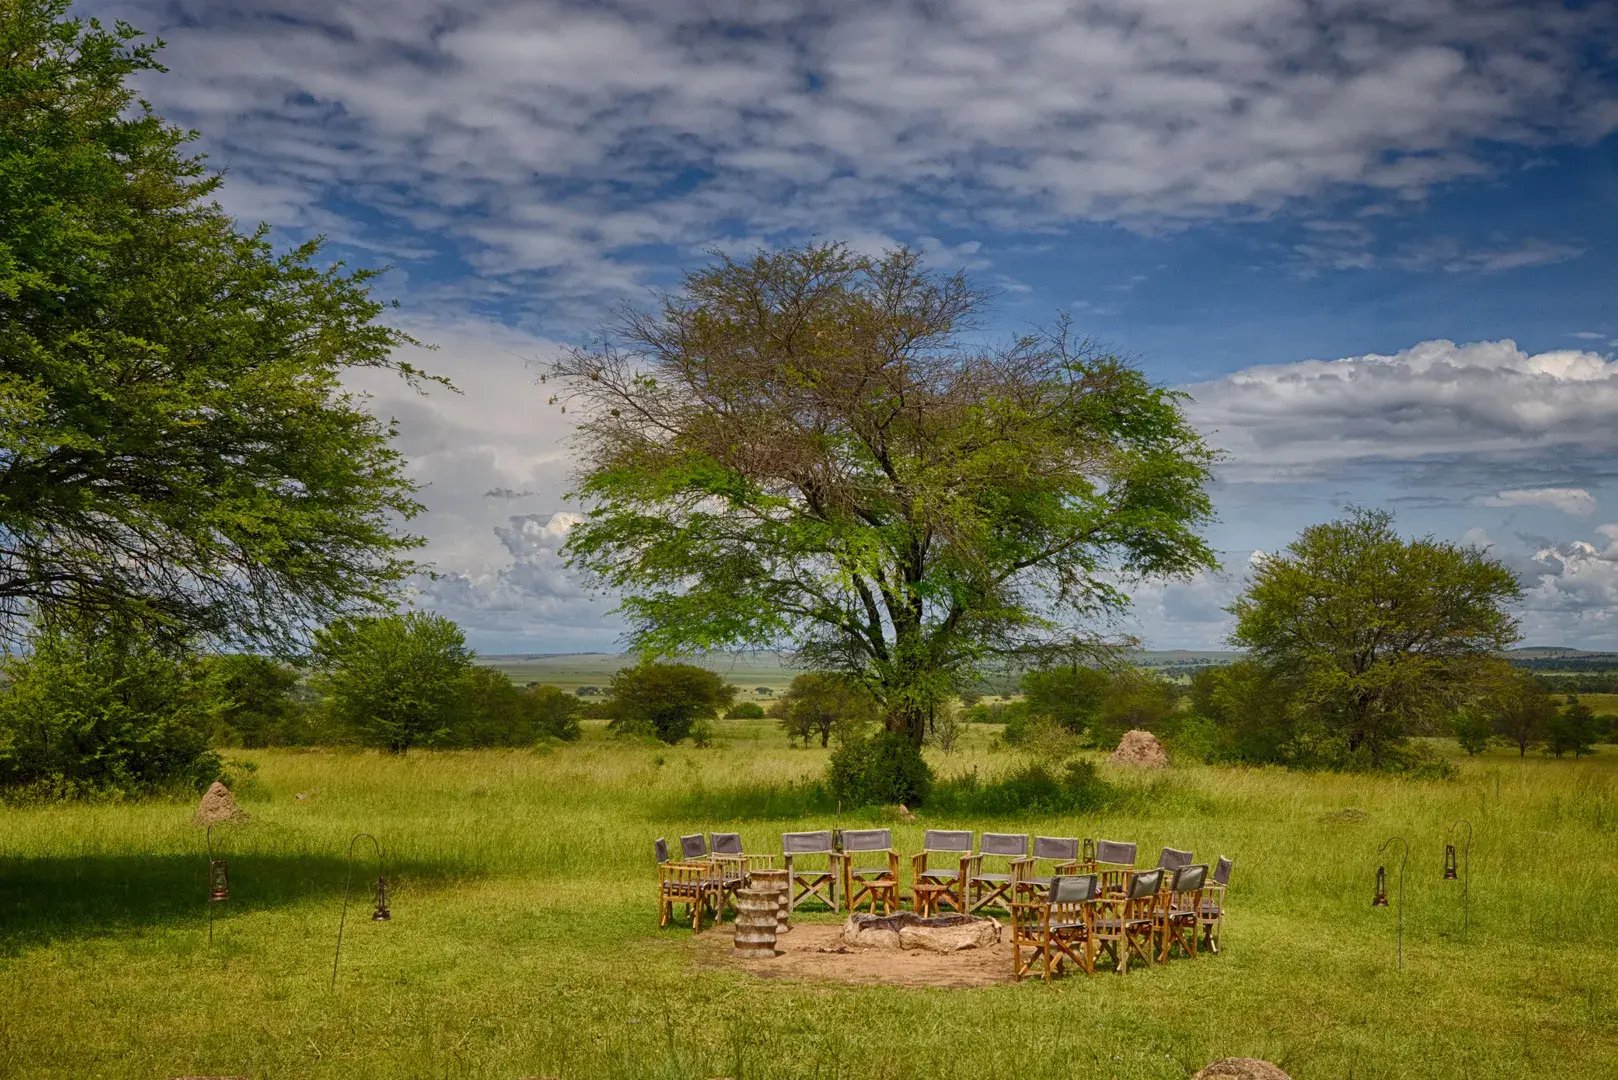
x: 1376, y: 637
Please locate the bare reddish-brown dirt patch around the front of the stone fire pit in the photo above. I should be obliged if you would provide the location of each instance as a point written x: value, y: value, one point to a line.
x: 816, y: 953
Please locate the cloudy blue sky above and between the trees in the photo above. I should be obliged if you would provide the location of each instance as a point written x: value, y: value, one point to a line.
x: 1373, y: 239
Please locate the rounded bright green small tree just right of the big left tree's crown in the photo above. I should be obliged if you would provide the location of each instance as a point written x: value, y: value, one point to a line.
x: 394, y: 681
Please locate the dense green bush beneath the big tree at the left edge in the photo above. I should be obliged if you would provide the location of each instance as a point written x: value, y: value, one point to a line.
x: 104, y: 710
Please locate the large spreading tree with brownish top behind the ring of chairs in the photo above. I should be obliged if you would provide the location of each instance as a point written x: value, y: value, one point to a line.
x: 818, y: 449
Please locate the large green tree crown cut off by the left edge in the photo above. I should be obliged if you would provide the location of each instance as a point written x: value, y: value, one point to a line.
x: 177, y: 444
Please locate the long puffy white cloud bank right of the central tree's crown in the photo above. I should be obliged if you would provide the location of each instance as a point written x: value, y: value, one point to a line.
x: 1434, y: 401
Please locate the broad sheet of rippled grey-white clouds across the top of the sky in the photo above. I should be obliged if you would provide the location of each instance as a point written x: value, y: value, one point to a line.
x: 569, y: 140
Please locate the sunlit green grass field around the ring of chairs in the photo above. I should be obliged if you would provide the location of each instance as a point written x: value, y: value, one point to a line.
x: 525, y: 943
